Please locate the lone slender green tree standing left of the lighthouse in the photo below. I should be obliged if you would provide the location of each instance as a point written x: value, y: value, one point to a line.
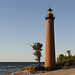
x: 37, y: 47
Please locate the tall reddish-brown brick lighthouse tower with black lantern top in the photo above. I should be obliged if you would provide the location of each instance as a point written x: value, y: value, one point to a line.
x: 50, y: 43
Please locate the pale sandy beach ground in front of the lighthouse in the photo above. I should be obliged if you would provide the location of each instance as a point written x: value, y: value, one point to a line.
x: 56, y: 72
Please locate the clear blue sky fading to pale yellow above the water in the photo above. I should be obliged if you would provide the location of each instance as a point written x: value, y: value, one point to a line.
x: 22, y: 22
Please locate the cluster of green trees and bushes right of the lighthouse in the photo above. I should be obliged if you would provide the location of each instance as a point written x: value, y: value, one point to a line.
x: 64, y: 60
